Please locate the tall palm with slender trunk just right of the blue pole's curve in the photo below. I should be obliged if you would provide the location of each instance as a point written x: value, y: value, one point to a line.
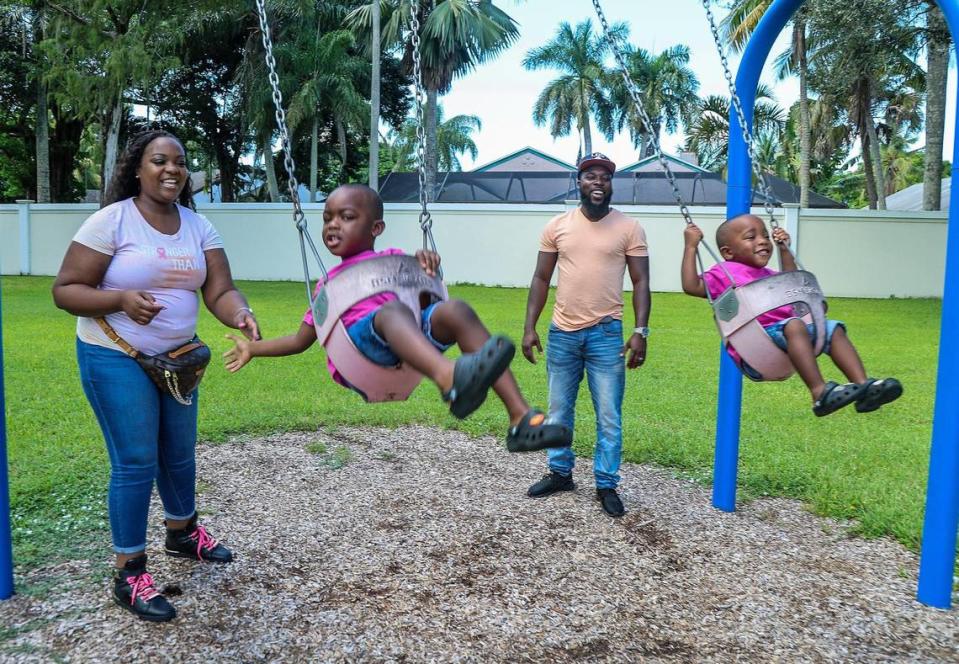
x: 738, y: 25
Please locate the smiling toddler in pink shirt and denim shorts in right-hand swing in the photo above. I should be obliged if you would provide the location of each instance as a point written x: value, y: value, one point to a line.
x: 745, y: 245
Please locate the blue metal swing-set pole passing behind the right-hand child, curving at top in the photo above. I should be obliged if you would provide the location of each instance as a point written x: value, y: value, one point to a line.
x: 738, y: 201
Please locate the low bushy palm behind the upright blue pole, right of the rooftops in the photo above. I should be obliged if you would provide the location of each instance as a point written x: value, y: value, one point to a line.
x: 708, y: 134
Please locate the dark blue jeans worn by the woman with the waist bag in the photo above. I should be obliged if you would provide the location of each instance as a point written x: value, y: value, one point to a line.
x: 149, y: 437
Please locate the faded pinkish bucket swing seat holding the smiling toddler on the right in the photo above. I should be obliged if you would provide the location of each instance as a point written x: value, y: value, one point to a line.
x: 737, y: 309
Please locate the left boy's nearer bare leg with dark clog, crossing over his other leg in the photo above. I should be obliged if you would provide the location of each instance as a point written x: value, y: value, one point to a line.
x: 464, y: 383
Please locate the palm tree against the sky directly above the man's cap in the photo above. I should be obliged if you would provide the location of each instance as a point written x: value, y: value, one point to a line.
x: 579, y: 92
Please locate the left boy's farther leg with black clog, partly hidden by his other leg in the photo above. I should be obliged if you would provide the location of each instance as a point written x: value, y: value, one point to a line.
x: 454, y: 321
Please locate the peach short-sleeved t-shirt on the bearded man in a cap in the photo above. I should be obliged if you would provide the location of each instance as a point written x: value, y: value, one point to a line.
x: 592, y: 262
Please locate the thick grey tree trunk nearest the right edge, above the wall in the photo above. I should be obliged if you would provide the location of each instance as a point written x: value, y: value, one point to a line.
x: 937, y: 56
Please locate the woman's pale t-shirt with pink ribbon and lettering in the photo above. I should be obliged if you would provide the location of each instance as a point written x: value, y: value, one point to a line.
x: 172, y: 268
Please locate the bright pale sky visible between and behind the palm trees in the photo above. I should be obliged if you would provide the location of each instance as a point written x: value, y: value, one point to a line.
x: 502, y: 93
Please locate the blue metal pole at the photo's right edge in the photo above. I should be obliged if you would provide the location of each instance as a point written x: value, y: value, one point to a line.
x: 941, y: 524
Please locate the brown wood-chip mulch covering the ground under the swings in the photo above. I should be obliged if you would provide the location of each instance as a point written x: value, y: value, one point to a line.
x: 418, y: 544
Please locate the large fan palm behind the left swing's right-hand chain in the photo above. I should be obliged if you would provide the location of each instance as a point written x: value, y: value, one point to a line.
x: 456, y: 36
